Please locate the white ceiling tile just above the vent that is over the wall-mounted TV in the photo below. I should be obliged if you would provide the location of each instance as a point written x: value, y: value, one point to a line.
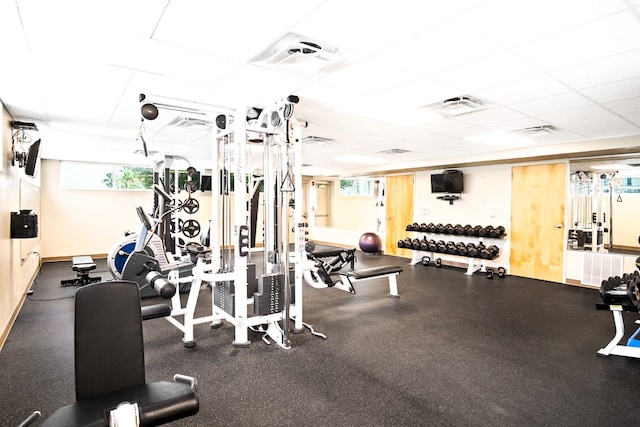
x: 494, y: 70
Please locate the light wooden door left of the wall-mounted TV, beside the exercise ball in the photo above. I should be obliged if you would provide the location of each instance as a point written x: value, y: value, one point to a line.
x: 399, y: 196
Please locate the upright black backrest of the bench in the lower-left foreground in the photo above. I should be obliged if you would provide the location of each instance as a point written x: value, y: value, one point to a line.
x: 109, y: 351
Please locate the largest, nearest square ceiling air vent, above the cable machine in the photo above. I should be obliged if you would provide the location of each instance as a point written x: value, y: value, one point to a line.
x: 299, y: 55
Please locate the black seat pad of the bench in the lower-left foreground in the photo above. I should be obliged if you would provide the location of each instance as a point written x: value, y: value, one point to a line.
x: 159, y: 402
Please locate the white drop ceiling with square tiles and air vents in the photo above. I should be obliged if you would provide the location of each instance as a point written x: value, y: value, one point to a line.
x: 77, y: 68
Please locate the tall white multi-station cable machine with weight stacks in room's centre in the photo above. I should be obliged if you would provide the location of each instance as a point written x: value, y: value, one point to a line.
x: 275, y: 294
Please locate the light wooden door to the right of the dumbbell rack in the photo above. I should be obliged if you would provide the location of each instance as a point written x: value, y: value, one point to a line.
x: 538, y: 195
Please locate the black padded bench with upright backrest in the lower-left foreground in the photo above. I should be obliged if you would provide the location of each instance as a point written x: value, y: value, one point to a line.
x: 110, y: 366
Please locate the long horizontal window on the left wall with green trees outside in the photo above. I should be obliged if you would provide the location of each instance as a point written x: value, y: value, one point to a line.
x: 93, y: 176
